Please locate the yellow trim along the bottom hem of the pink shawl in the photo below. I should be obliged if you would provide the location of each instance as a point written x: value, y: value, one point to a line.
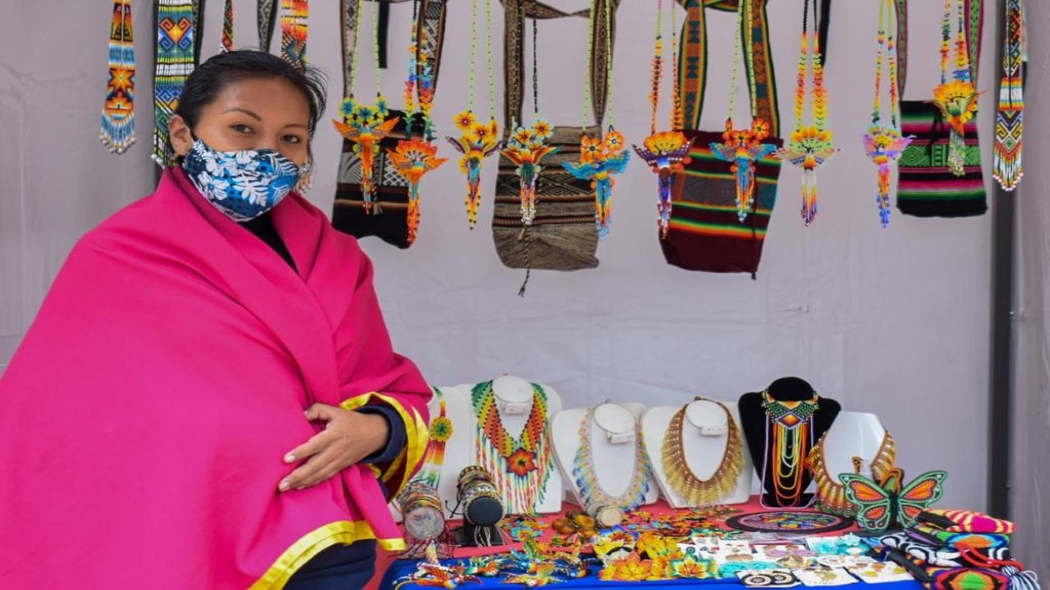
x: 306, y: 549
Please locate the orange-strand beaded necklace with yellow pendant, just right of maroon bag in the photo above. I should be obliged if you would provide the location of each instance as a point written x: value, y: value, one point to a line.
x: 811, y: 143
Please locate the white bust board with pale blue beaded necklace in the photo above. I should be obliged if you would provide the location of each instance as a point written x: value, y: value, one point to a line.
x: 603, y: 457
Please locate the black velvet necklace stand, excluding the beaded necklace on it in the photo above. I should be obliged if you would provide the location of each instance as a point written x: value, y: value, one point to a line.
x: 754, y: 419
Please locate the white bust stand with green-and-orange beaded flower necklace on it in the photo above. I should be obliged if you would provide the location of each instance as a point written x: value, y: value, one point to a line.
x: 509, y: 409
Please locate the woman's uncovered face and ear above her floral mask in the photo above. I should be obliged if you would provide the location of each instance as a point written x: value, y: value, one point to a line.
x: 250, y: 114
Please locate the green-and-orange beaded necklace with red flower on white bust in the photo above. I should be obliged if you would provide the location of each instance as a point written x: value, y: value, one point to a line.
x: 521, y: 466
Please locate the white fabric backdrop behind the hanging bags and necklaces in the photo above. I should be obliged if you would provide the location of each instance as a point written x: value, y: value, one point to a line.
x: 893, y: 322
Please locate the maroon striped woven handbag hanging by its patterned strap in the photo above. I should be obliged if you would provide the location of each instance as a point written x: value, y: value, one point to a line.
x: 706, y: 233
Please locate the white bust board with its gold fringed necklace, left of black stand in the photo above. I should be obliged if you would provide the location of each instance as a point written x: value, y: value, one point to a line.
x: 706, y: 458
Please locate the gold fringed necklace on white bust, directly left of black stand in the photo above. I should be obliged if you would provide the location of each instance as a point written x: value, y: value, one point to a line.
x: 681, y: 477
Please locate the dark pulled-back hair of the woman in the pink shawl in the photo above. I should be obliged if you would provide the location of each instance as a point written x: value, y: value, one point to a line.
x: 209, y: 79
